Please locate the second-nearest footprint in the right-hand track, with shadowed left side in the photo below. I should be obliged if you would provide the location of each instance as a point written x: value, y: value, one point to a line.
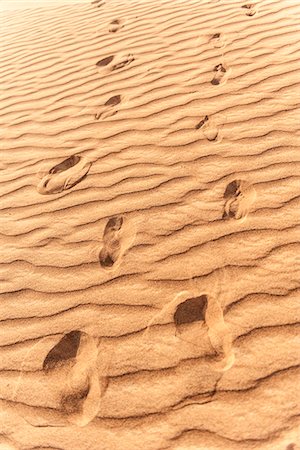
x: 239, y: 197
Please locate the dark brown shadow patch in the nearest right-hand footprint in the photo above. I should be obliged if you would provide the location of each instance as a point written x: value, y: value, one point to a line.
x: 191, y: 310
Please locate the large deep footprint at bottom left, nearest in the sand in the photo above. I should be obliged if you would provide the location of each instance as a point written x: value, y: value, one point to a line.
x: 81, y: 391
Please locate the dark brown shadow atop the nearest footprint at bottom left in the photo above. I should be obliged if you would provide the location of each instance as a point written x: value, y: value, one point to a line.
x: 65, y: 350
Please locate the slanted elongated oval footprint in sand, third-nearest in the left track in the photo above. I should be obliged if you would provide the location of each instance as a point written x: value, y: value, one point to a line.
x: 65, y: 175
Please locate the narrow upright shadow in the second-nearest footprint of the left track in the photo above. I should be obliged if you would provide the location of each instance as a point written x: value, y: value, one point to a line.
x: 111, y: 242
